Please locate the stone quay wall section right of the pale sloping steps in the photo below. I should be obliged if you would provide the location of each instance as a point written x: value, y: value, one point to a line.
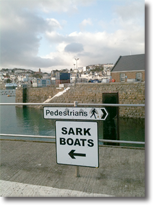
x: 133, y: 93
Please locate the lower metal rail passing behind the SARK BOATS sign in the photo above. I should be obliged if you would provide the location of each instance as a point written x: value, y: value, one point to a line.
x: 53, y: 137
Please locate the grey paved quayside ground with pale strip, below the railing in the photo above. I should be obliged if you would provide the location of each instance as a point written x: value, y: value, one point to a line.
x: 29, y: 169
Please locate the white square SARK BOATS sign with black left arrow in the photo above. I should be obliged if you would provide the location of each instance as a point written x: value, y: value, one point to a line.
x: 77, y: 143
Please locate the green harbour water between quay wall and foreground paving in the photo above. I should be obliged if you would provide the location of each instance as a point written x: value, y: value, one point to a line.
x: 30, y: 121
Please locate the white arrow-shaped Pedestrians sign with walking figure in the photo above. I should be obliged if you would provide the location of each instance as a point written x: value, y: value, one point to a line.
x: 75, y: 113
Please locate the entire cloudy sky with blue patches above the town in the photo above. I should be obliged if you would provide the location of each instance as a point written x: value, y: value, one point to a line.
x: 50, y: 34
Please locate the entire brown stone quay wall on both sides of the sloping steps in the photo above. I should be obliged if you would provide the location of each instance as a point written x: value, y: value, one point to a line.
x: 129, y: 93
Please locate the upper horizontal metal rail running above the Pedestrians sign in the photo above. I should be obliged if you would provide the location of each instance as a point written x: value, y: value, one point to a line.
x: 79, y: 104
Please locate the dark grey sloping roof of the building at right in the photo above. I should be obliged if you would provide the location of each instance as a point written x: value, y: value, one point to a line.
x: 130, y: 63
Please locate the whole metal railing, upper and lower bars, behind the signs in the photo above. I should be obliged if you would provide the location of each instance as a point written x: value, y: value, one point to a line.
x: 77, y: 104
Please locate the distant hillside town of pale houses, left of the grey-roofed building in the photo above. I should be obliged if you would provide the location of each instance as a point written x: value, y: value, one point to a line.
x: 21, y: 77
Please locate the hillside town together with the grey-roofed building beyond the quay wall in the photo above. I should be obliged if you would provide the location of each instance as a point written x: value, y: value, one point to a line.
x: 130, y: 68
